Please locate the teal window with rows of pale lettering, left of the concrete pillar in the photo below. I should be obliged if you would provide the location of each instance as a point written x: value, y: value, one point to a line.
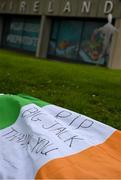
x: 23, y: 34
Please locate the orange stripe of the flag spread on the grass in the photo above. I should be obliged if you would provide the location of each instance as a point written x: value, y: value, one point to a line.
x: 101, y: 161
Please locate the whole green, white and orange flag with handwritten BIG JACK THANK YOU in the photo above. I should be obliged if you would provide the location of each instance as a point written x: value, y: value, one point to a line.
x: 43, y: 141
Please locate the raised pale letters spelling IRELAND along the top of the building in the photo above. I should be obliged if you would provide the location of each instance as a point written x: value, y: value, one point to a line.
x: 67, y: 8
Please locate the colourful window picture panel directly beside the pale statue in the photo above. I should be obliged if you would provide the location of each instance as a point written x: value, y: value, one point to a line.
x: 91, y: 44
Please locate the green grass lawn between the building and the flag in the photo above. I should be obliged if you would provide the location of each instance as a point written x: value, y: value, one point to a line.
x: 93, y: 91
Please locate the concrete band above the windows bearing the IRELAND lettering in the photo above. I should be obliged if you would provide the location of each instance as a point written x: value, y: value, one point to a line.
x: 79, y: 8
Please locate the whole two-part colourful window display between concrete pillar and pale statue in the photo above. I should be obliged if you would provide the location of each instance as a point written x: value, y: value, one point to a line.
x: 77, y: 40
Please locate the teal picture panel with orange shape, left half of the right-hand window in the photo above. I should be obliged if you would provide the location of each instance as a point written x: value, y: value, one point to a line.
x: 66, y: 43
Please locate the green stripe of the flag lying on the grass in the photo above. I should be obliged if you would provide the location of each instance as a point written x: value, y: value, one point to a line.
x: 10, y: 106
